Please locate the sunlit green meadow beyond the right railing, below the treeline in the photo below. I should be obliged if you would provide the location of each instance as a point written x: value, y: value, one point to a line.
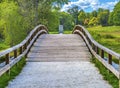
x: 107, y: 36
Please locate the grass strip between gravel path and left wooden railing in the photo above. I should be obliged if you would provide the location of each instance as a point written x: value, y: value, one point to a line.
x: 14, y: 71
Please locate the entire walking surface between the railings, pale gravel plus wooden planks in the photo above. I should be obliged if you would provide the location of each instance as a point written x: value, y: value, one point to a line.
x: 59, y: 61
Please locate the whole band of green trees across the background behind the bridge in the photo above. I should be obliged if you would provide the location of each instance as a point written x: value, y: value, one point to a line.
x: 19, y: 17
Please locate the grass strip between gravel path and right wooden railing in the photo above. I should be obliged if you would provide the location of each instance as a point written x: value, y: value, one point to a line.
x: 108, y: 76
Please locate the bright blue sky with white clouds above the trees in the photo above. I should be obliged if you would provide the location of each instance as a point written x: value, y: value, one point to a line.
x: 90, y: 5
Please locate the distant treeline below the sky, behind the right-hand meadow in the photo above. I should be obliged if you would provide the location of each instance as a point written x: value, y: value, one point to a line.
x: 99, y: 17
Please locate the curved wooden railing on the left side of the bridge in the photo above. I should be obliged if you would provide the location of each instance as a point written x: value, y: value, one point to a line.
x: 21, y: 49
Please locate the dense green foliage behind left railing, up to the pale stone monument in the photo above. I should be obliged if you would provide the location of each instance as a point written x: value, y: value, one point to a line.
x: 18, y: 17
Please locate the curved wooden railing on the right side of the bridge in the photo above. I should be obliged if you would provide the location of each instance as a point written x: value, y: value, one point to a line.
x: 98, y: 50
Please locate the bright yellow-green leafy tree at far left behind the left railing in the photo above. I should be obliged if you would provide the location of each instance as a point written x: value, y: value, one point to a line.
x: 13, y: 23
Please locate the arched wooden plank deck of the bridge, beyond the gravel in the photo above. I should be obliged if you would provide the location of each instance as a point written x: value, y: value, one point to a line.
x: 59, y: 47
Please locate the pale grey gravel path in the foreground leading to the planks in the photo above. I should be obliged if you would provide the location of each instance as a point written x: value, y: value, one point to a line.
x: 59, y: 75
